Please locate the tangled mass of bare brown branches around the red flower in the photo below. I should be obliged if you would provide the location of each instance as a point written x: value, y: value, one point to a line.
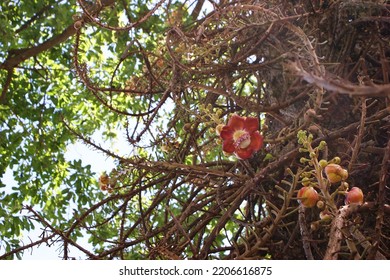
x: 292, y: 67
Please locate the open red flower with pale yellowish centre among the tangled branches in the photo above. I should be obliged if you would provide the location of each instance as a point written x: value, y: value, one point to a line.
x: 241, y: 136
